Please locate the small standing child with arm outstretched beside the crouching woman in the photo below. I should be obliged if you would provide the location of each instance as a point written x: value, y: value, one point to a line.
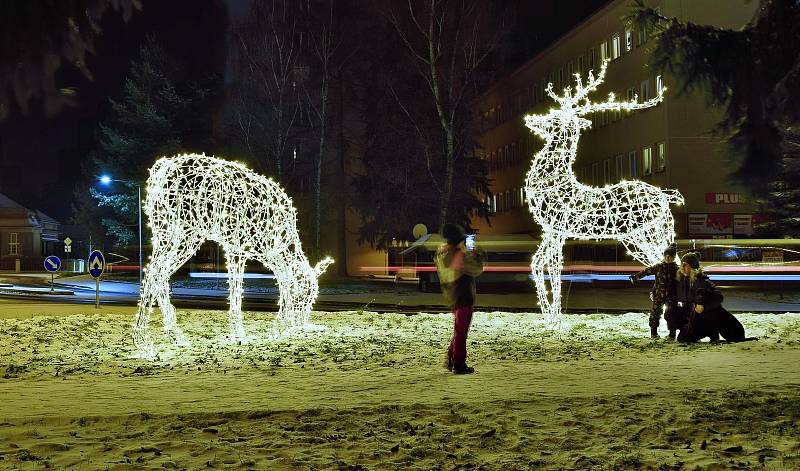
x: 663, y: 292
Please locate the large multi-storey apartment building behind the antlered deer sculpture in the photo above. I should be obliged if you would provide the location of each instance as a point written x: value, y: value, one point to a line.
x: 669, y: 145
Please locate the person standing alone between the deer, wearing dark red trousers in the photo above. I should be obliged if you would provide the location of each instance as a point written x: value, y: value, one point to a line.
x: 457, y: 268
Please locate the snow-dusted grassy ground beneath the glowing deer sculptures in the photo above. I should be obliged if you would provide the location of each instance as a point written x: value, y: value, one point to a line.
x: 369, y: 391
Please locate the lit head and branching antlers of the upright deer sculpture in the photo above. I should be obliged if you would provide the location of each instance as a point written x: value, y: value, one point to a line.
x: 570, y: 116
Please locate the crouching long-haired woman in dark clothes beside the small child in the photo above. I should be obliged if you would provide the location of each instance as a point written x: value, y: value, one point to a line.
x: 701, y: 302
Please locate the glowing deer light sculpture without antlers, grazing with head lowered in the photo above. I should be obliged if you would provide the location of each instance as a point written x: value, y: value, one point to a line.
x: 193, y: 198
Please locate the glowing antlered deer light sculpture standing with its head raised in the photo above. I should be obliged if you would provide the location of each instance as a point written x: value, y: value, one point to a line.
x: 632, y: 212
